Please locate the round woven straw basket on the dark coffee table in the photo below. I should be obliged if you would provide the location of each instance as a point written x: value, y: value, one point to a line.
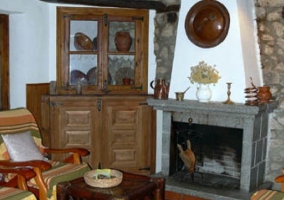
x: 116, y: 178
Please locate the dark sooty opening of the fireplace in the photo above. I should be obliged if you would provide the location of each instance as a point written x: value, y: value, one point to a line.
x: 217, y: 151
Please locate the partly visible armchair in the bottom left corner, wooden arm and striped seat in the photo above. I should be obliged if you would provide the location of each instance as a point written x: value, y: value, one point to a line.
x: 9, y: 190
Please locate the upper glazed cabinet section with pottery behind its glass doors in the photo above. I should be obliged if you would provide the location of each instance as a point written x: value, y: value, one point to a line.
x: 91, y: 55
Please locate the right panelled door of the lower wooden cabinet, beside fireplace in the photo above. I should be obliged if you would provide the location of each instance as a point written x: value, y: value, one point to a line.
x: 126, y: 136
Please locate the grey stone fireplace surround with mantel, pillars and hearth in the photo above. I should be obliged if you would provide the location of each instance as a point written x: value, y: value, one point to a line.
x: 252, y: 120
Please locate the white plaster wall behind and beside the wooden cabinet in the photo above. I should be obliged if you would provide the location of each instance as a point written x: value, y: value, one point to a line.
x: 33, y: 45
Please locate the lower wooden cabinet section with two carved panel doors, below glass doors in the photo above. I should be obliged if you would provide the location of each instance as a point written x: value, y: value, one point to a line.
x: 119, y: 131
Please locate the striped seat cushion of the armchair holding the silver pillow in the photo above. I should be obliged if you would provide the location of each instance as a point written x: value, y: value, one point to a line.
x: 61, y: 172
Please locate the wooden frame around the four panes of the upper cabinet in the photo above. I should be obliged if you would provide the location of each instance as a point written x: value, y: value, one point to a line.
x: 103, y: 16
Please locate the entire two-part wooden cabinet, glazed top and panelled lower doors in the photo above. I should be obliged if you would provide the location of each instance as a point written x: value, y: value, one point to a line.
x: 102, y: 54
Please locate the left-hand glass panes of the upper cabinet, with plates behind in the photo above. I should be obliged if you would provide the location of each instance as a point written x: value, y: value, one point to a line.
x: 83, y: 58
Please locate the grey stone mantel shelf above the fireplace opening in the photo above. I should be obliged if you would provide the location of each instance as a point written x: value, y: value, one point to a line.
x: 212, y: 113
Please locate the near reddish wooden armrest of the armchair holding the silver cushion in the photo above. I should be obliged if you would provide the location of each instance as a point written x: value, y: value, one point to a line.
x: 43, y: 165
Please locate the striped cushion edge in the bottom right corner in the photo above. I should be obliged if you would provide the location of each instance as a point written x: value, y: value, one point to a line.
x: 267, y: 195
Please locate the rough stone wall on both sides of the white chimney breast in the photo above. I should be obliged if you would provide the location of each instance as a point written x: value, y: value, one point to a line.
x: 270, y: 18
